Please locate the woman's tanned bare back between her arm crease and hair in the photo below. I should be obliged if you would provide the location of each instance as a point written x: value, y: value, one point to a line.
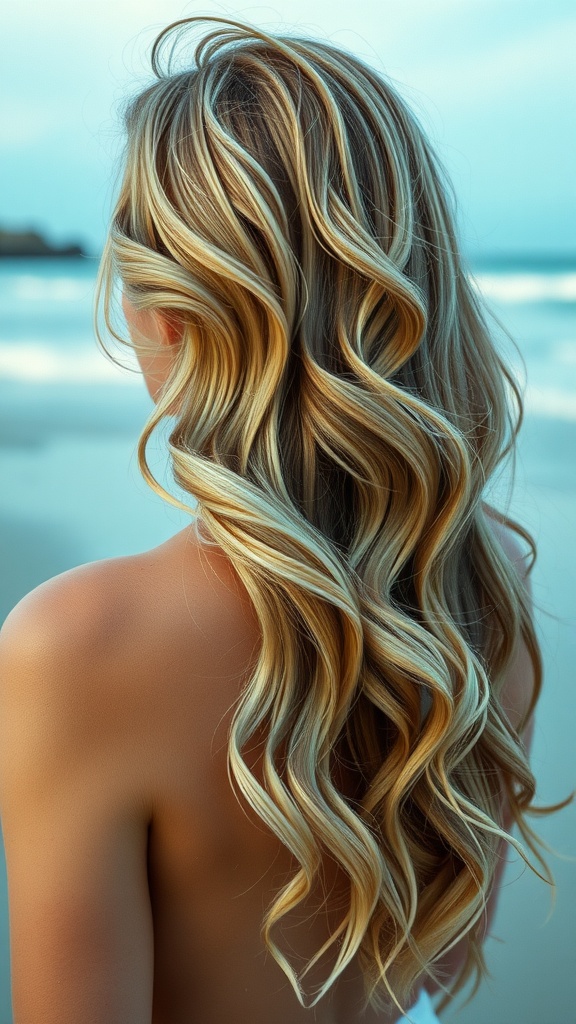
x: 214, y: 867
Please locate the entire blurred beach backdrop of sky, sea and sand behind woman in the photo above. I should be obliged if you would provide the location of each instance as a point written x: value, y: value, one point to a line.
x: 492, y: 83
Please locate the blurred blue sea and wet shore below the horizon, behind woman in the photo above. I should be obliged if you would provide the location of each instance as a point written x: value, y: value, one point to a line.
x: 71, y: 493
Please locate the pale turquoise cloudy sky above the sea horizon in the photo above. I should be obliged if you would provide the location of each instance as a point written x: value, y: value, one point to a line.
x: 492, y: 81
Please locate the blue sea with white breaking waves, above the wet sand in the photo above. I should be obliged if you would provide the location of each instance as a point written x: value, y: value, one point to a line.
x: 47, y: 336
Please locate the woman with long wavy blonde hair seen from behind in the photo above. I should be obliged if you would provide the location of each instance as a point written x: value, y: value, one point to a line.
x: 273, y: 764
